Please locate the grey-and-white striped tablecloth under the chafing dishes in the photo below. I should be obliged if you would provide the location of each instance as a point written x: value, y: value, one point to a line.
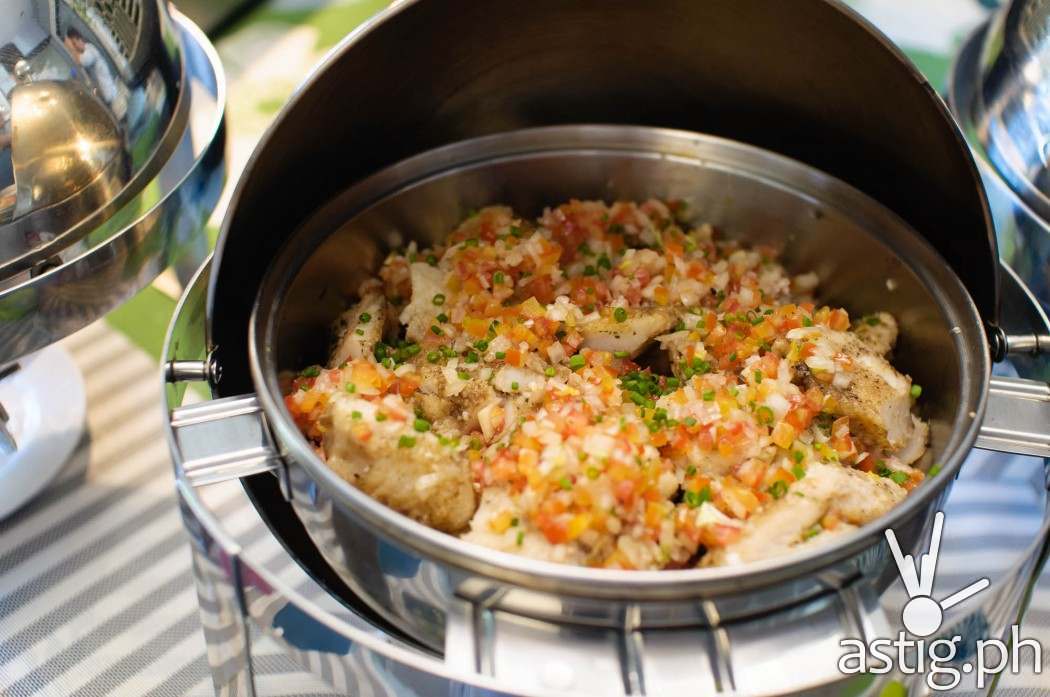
x: 96, y: 588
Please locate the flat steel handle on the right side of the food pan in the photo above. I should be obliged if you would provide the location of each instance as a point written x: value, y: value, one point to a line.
x: 1017, y: 418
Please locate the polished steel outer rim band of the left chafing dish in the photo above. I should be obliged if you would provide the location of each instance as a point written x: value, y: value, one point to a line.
x: 160, y: 225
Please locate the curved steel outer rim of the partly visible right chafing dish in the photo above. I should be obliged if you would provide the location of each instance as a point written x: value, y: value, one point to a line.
x: 1023, y: 233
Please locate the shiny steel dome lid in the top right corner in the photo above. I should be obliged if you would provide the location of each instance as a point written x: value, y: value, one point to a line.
x: 1012, y: 107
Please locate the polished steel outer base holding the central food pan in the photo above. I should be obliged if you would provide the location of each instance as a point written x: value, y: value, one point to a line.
x: 242, y: 595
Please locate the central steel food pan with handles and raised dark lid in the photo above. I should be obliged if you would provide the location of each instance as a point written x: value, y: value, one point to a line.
x: 845, y: 102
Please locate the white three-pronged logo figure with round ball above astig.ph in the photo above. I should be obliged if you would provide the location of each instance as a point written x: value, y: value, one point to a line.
x: 922, y: 615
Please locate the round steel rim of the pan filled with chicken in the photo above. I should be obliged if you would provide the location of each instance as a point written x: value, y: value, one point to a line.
x: 923, y: 261
